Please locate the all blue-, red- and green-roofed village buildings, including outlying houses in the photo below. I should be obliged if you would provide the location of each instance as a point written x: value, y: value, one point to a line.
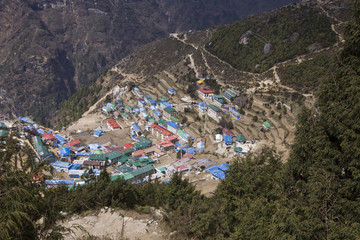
x: 135, y: 160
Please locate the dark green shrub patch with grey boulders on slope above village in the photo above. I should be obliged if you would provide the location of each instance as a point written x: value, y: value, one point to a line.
x: 287, y: 32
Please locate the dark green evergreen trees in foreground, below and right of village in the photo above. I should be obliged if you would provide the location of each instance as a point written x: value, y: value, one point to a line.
x: 314, y: 195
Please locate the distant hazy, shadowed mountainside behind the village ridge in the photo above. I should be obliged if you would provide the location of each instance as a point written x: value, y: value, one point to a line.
x: 51, y: 48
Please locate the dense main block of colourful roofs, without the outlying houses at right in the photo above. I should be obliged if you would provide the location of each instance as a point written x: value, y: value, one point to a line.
x: 132, y: 161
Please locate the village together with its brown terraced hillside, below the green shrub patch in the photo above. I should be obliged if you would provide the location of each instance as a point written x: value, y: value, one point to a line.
x: 159, y: 117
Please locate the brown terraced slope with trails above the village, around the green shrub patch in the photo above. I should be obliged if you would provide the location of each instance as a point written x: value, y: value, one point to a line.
x: 177, y: 61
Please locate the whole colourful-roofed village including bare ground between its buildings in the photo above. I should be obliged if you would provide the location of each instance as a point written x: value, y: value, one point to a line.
x: 143, y: 136
